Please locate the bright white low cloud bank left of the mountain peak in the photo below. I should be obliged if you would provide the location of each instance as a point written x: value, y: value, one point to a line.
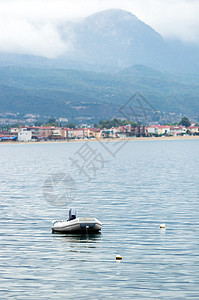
x: 21, y: 36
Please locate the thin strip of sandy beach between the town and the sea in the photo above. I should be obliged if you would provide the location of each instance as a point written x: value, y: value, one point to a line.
x: 166, y: 138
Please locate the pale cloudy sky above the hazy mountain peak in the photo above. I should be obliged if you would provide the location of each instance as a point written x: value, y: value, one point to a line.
x: 30, y: 26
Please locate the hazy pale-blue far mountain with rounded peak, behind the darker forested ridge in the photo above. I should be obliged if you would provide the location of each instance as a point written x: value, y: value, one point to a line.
x: 111, y: 40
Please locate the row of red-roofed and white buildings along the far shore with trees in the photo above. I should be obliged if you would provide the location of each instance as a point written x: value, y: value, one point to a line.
x: 55, y: 133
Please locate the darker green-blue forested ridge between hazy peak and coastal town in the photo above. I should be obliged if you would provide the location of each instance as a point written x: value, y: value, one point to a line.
x: 82, y: 94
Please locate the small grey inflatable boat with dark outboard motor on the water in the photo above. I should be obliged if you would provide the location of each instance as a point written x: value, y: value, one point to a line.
x: 77, y: 225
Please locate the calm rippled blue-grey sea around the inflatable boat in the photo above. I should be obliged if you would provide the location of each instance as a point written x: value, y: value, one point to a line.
x: 132, y: 191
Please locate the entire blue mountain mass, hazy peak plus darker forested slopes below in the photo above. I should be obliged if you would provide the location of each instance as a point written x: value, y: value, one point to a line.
x: 114, y: 55
